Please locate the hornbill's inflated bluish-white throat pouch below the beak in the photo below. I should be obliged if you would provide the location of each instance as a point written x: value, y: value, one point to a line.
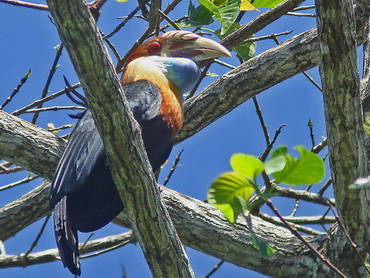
x: 183, y: 72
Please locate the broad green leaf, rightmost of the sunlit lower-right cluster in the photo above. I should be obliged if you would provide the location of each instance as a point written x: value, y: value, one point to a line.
x: 308, y: 169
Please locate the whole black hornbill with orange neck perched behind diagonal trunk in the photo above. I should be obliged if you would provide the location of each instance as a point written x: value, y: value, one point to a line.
x: 154, y: 79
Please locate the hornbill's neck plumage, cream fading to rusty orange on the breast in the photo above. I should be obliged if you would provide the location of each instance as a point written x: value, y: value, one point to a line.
x: 171, y: 109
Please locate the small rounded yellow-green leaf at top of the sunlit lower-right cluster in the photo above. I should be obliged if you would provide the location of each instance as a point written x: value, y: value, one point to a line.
x: 248, y: 166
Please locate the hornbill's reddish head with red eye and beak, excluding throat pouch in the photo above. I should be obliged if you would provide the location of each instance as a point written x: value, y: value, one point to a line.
x: 182, y: 44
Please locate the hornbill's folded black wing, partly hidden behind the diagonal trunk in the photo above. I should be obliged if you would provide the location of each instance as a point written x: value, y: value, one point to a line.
x: 85, y: 146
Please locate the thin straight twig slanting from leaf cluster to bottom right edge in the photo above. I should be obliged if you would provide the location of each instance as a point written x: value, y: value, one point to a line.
x: 302, y: 239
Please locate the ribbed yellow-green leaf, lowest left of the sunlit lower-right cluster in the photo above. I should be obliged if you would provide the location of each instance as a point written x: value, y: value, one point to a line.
x: 229, y: 193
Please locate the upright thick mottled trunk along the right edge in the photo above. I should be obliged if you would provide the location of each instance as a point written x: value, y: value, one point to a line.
x: 343, y: 115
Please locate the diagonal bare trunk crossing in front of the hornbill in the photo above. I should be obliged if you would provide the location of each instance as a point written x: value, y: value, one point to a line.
x: 129, y: 164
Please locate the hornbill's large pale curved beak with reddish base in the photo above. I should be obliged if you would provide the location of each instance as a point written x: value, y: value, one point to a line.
x: 194, y: 47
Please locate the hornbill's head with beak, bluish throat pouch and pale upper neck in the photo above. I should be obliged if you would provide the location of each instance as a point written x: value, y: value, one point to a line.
x: 175, y: 56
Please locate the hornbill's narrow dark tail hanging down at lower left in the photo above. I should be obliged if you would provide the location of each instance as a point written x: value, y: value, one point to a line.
x: 66, y: 237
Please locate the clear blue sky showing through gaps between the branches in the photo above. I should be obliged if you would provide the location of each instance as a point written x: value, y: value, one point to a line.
x: 28, y: 39
